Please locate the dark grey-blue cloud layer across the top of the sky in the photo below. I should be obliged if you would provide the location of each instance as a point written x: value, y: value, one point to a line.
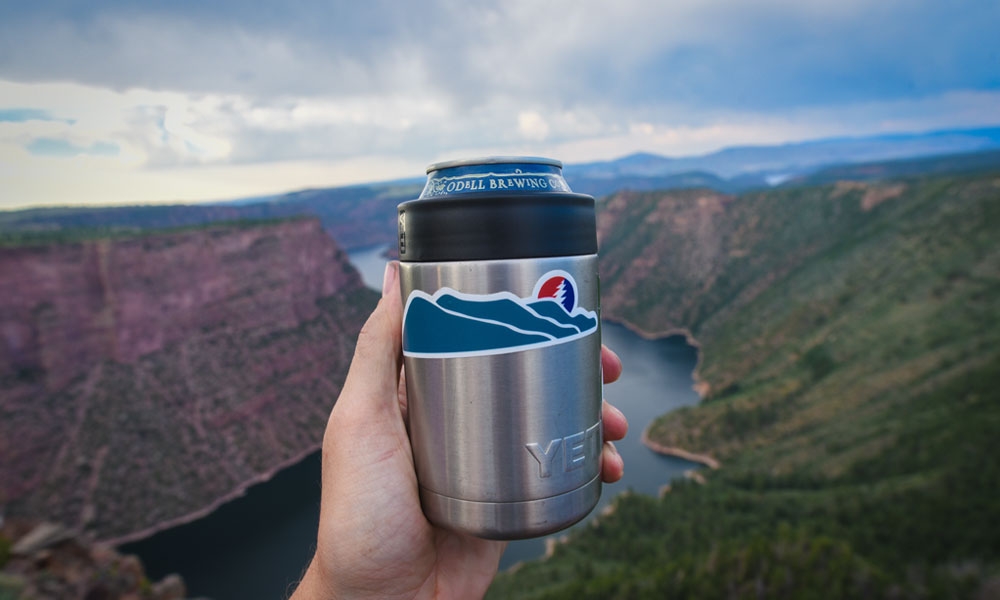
x: 722, y: 54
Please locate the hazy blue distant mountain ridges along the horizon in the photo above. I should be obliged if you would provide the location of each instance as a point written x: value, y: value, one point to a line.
x: 364, y: 215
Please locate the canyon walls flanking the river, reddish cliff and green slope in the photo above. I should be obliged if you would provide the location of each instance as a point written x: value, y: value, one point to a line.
x: 848, y: 354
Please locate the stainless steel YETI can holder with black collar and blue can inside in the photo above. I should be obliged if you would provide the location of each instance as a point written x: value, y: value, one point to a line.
x: 501, y: 346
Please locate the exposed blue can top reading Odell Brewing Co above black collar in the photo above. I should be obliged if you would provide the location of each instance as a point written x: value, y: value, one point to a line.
x: 496, y: 174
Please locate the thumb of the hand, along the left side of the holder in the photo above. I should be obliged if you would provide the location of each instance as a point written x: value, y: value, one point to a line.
x: 373, y: 379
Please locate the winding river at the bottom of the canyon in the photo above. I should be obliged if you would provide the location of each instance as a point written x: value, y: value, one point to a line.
x: 258, y: 545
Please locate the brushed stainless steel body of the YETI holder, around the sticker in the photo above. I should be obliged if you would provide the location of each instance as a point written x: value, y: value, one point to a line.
x: 507, y: 428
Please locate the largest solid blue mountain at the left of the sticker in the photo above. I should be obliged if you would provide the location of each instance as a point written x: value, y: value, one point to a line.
x: 430, y: 329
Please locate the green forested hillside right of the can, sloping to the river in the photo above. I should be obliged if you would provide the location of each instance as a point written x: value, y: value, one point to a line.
x: 849, y: 339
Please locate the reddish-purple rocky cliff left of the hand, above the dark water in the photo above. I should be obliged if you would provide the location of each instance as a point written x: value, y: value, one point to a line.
x: 144, y: 379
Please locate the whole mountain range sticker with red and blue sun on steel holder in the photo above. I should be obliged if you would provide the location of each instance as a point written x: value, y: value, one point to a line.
x: 451, y: 324
